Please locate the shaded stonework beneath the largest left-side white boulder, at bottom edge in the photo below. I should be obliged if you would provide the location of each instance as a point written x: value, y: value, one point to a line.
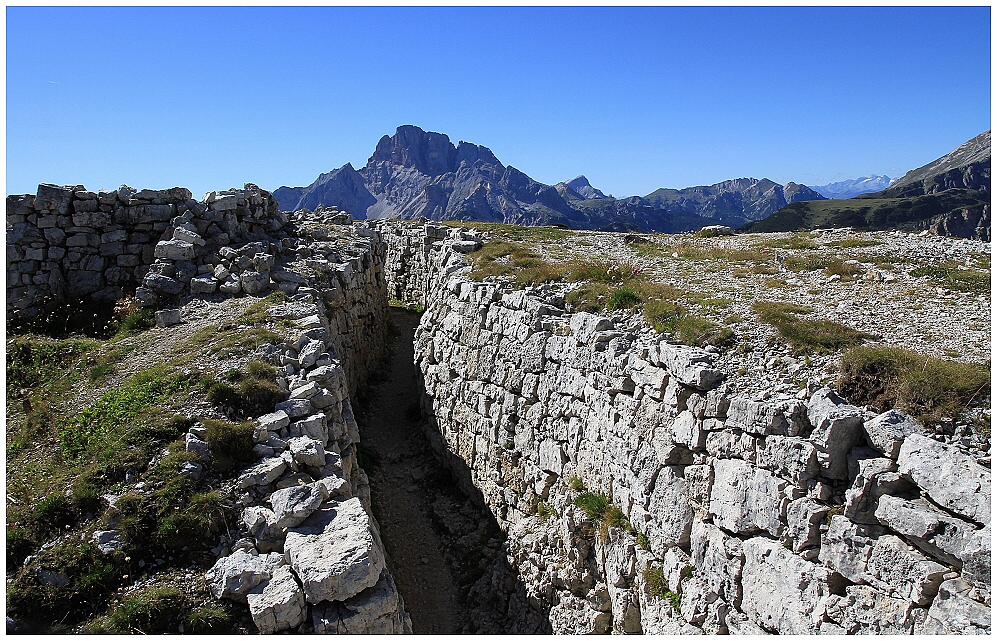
x: 377, y: 610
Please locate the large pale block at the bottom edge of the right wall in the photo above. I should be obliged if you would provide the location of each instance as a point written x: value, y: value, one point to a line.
x: 781, y: 591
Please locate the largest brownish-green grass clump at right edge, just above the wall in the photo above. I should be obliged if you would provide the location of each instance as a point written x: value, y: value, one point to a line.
x: 928, y: 388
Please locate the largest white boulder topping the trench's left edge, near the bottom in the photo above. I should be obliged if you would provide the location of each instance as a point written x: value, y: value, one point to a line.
x: 336, y: 552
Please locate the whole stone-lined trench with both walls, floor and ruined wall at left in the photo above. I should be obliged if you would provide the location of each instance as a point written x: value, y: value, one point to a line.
x: 437, y: 492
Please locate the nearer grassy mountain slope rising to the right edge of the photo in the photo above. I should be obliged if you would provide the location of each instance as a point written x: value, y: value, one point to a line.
x: 950, y: 195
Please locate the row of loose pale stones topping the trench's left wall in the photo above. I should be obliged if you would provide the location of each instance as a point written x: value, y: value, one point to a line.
x: 311, y: 556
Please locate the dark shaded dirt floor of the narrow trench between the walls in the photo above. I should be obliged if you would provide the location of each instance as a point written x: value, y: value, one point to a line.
x: 442, y: 548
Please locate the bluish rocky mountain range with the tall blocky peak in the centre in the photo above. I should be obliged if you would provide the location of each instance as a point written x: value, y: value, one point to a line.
x: 415, y: 174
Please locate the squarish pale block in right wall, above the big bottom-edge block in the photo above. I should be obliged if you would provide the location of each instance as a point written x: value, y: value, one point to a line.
x: 746, y: 499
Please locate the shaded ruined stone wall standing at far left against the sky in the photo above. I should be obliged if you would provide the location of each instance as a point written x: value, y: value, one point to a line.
x: 70, y: 243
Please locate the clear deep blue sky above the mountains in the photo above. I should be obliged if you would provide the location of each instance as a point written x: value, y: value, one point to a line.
x: 636, y: 98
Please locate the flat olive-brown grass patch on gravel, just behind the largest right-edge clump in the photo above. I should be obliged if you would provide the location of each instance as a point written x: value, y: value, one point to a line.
x: 806, y: 335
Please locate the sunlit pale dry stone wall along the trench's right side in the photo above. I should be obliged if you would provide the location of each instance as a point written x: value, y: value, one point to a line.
x: 794, y: 514
